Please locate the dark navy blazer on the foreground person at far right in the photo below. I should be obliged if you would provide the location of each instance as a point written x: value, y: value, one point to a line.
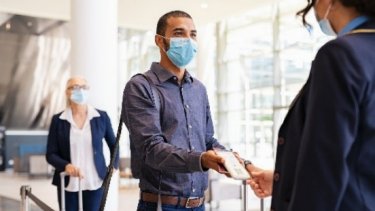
x: 326, y: 147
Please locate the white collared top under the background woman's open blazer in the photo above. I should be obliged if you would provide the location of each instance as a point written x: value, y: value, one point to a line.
x: 81, y: 151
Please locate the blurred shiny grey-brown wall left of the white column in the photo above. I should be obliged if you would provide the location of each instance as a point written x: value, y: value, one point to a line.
x: 34, y: 66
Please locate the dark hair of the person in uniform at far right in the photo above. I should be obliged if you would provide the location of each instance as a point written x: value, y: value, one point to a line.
x: 365, y: 7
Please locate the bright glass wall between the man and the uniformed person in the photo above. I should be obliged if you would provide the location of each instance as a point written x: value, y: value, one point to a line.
x: 266, y: 60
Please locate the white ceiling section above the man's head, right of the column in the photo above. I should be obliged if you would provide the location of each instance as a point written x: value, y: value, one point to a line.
x: 147, y: 12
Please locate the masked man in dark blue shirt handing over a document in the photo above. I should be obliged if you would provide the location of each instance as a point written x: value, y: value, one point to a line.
x: 168, y: 116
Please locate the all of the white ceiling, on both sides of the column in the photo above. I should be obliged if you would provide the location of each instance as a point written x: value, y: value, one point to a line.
x: 142, y: 14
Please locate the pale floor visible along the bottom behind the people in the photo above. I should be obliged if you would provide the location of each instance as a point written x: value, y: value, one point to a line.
x: 10, y: 184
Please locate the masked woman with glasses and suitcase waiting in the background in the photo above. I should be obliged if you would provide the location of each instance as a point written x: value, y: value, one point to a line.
x: 75, y: 145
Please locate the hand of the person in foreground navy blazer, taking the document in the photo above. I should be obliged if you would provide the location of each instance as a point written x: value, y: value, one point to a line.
x: 261, y: 181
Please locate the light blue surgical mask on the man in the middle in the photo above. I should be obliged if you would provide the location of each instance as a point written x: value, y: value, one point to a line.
x: 181, y: 51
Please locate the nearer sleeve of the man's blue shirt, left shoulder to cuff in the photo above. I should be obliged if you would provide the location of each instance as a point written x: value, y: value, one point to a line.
x: 142, y: 119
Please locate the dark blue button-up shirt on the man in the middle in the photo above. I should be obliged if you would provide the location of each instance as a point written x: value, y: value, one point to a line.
x: 169, y: 140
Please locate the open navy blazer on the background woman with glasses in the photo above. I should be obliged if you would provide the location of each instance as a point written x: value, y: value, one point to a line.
x: 58, y: 145
